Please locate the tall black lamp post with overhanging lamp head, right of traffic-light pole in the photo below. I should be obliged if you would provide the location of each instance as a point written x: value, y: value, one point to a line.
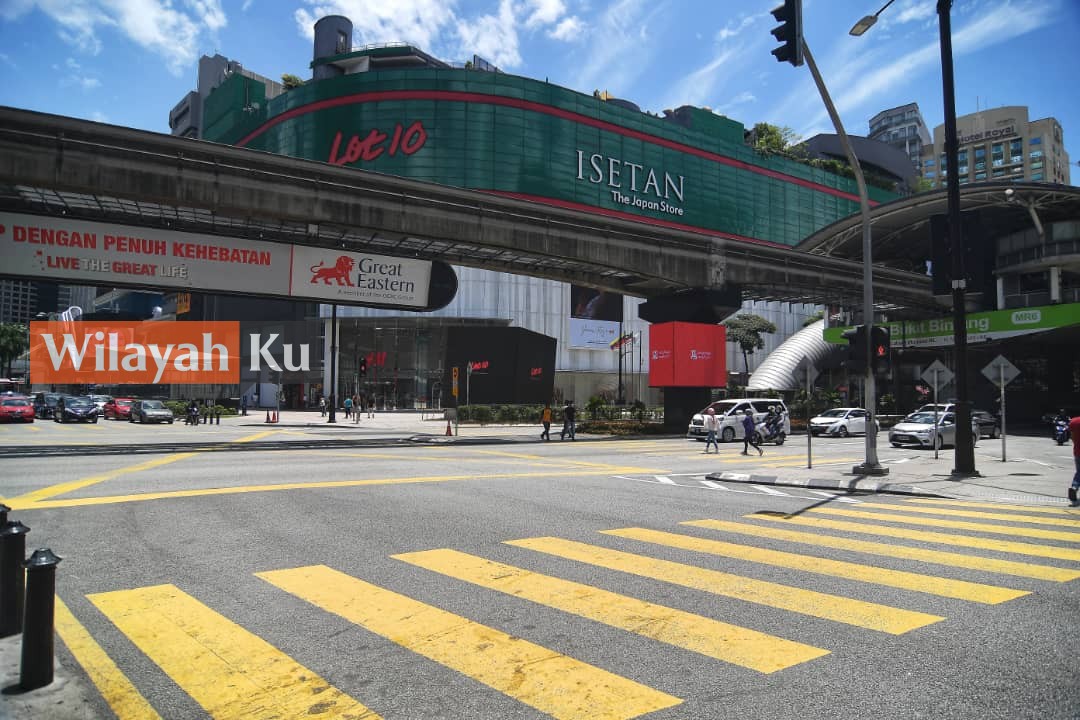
x: 965, y: 456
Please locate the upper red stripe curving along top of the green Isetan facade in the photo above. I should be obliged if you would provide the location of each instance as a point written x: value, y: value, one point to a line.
x: 456, y: 97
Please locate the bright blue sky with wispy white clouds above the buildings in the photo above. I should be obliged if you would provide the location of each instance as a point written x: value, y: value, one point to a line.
x: 129, y: 62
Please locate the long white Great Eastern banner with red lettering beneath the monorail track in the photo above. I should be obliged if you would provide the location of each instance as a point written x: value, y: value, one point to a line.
x: 103, y: 254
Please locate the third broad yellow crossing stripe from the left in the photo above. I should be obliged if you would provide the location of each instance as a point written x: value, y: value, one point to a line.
x: 731, y: 644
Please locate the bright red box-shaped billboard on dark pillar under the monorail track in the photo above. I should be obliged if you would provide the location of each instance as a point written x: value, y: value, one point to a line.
x: 687, y: 356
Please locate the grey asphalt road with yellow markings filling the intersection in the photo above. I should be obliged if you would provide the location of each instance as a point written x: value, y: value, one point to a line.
x: 490, y: 582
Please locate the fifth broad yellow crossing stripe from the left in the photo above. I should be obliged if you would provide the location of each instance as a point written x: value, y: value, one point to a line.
x: 910, y: 581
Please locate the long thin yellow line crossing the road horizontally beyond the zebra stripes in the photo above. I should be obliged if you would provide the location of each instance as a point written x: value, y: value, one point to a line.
x: 171, y: 495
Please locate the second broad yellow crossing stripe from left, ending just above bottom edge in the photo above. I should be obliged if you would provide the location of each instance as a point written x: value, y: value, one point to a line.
x: 549, y: 682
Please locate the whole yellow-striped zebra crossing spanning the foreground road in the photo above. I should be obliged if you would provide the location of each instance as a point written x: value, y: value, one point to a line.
x: 233, y: 673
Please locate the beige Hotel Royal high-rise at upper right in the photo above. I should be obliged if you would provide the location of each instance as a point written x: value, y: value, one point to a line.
x: 1002, y: 145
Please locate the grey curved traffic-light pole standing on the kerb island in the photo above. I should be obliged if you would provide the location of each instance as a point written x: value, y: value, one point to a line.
x: 871, y: 465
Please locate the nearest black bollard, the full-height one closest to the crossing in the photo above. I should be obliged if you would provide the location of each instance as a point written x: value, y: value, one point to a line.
x: 37, y: 668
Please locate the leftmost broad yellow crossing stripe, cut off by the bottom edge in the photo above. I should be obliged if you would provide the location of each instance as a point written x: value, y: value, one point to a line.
x: 228, y: 671
